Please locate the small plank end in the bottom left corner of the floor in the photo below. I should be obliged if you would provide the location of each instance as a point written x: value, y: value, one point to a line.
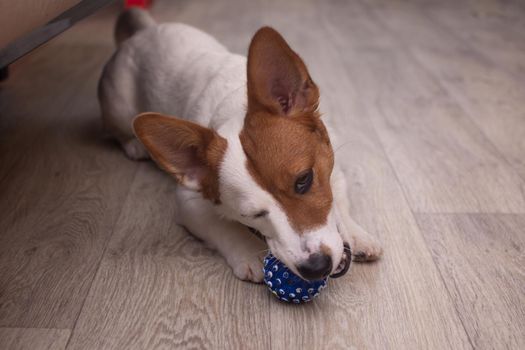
x: 33, y: 338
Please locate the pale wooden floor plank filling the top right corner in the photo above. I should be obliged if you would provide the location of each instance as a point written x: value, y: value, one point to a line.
x: 464, y: 60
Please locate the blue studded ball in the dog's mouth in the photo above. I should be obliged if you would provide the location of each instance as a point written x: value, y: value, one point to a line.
x: 286, y: 285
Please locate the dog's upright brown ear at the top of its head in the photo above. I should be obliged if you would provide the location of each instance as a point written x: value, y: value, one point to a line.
x: 278, y: 80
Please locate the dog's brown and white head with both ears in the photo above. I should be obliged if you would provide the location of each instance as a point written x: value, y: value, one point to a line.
x: 275, y: 175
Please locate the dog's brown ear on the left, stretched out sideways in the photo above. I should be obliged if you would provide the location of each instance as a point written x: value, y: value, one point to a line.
x: 188, y: 151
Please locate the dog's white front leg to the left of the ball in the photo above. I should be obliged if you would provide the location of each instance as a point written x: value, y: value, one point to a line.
x: 243, y: 251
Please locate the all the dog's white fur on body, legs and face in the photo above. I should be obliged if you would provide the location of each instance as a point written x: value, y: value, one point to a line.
x: 178, y: 70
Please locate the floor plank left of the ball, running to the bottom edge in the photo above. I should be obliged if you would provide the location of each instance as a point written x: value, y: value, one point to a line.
x: 158, y: 287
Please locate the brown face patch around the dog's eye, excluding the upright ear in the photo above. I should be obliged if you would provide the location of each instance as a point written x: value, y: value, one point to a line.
x: 278, y: 150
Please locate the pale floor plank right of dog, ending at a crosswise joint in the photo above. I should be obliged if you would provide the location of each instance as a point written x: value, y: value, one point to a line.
x: 434, y: 147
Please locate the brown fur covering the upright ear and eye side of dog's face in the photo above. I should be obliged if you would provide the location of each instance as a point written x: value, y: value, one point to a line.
x: 283, y: 134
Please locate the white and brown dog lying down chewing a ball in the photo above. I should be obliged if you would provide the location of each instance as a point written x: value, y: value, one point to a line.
x: 244, y: 139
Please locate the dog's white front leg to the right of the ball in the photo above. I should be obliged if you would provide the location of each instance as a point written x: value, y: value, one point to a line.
x: 364, y: 246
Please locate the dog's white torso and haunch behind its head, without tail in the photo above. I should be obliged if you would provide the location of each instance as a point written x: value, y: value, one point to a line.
x: 189, y: 74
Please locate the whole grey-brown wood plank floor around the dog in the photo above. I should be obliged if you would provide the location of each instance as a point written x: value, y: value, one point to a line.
x: 429, y: 102
